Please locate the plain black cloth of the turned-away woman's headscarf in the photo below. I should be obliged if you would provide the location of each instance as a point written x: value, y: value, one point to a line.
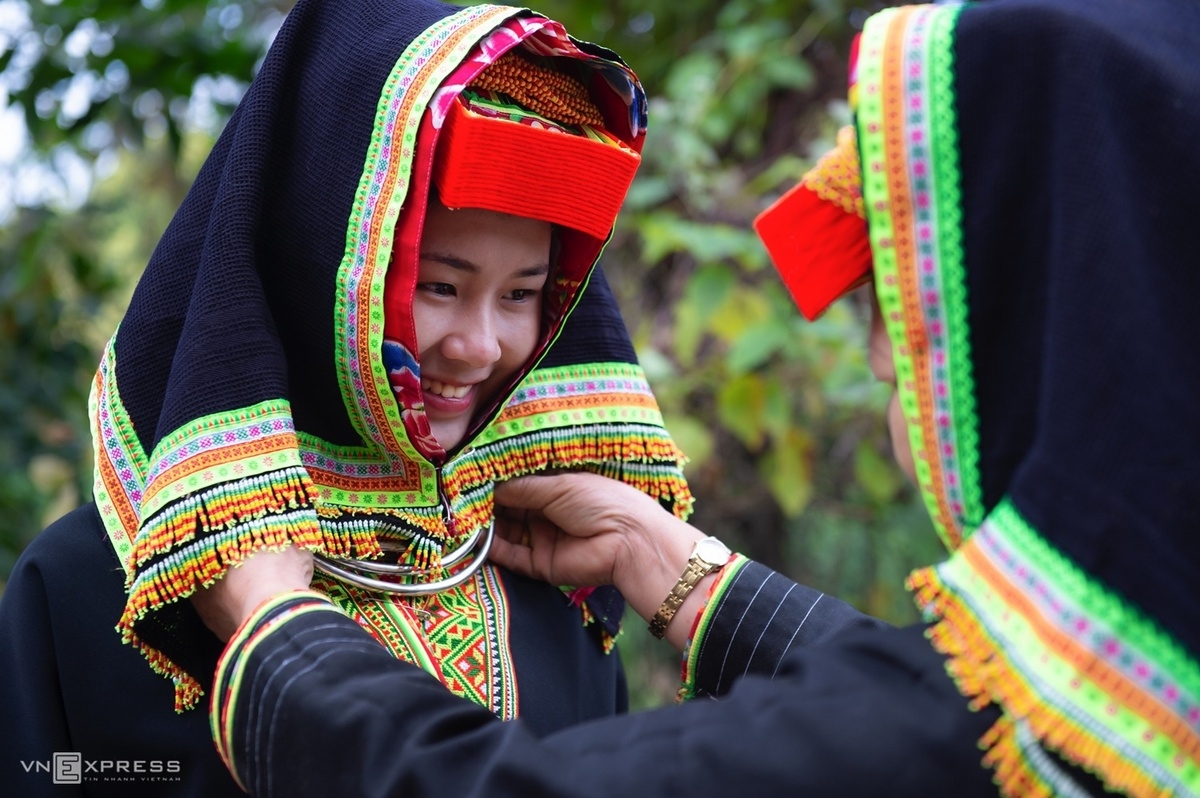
x: 1081, y: 237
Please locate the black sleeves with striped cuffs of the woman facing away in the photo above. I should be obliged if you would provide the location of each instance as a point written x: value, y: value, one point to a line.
x: 308, y: 704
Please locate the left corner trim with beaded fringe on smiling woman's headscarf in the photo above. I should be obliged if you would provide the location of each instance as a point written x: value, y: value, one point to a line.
x: 211, y: 494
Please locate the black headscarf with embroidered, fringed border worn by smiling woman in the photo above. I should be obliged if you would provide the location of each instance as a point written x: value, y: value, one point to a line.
x: 244, y: 403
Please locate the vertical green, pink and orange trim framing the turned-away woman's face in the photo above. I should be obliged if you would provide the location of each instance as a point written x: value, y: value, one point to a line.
x: 911, y: 188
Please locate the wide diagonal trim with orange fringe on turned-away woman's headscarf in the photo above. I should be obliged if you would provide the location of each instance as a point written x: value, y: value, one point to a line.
x: 1090, y: 676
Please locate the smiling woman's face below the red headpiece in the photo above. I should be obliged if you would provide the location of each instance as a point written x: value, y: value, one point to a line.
x: 477, y: 309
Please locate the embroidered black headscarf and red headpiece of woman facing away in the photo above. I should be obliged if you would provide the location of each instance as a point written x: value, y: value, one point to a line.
x: 1028, y: 179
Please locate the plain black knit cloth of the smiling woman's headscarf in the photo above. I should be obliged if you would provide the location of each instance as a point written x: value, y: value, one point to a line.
x: 236, y: 304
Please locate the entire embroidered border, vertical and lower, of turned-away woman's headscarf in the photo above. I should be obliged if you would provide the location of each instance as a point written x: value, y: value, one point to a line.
x: 1072, y: 664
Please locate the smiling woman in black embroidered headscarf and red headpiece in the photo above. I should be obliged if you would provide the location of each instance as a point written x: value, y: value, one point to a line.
x: 374, y: 305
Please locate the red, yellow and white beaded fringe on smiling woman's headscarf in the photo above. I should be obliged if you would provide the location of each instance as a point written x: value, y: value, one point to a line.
x: 193, y: 543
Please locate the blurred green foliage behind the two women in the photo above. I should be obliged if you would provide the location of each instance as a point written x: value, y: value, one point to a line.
x: 783, y: 423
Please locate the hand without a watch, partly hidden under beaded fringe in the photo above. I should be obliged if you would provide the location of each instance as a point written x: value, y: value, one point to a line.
x: 226, y: 604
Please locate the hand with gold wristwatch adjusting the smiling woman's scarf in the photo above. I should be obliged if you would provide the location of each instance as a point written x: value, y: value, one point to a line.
x: 585, y: 530
